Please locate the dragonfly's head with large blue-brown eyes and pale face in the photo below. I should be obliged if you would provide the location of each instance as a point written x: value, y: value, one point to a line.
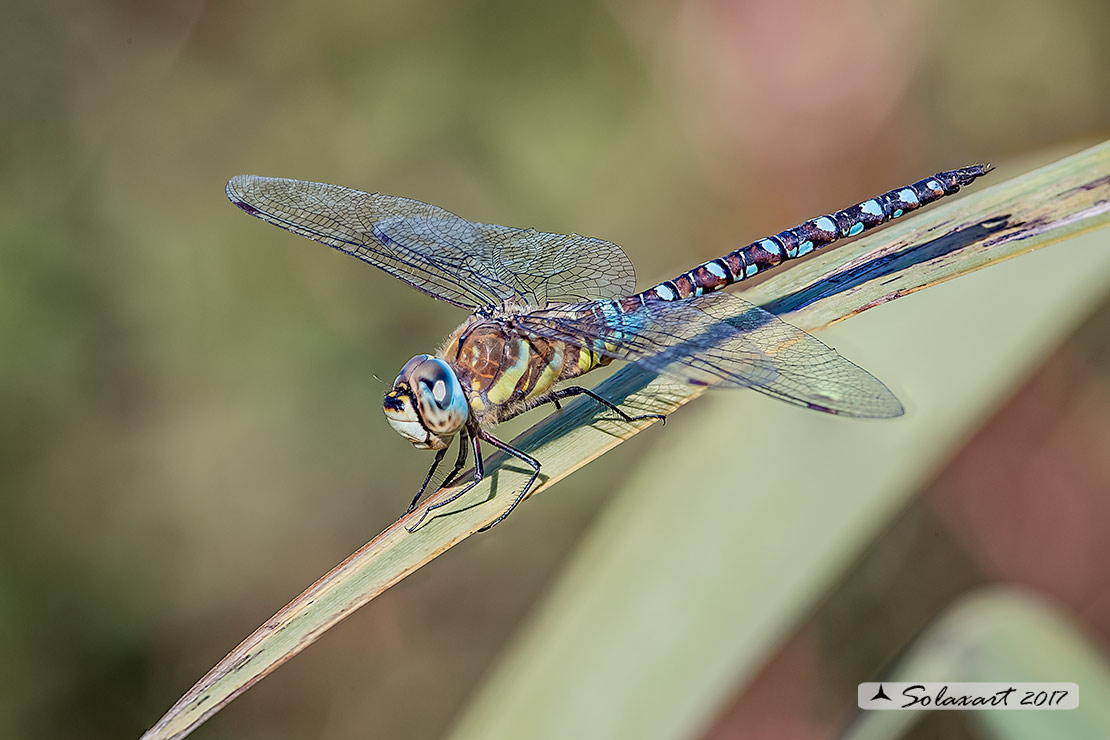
x: 427, y: 404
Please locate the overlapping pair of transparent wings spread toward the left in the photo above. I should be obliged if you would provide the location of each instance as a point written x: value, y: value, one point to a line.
x: 468, y: 265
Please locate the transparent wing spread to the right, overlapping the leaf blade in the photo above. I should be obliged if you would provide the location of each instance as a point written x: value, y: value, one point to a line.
x: 722, y: 341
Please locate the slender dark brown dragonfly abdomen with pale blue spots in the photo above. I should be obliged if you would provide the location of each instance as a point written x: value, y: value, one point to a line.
x: 811, y: 236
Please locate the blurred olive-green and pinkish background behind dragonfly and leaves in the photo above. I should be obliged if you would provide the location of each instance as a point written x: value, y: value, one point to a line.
x: 189, y: 400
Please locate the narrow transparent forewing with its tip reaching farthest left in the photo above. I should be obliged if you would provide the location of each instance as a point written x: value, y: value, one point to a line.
x: 347, y: 220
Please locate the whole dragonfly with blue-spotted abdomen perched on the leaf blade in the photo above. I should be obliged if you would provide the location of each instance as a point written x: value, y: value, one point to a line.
x: 547, y: 309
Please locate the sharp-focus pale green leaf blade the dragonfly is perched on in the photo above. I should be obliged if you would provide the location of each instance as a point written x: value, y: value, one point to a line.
x: 1072, y: 196
